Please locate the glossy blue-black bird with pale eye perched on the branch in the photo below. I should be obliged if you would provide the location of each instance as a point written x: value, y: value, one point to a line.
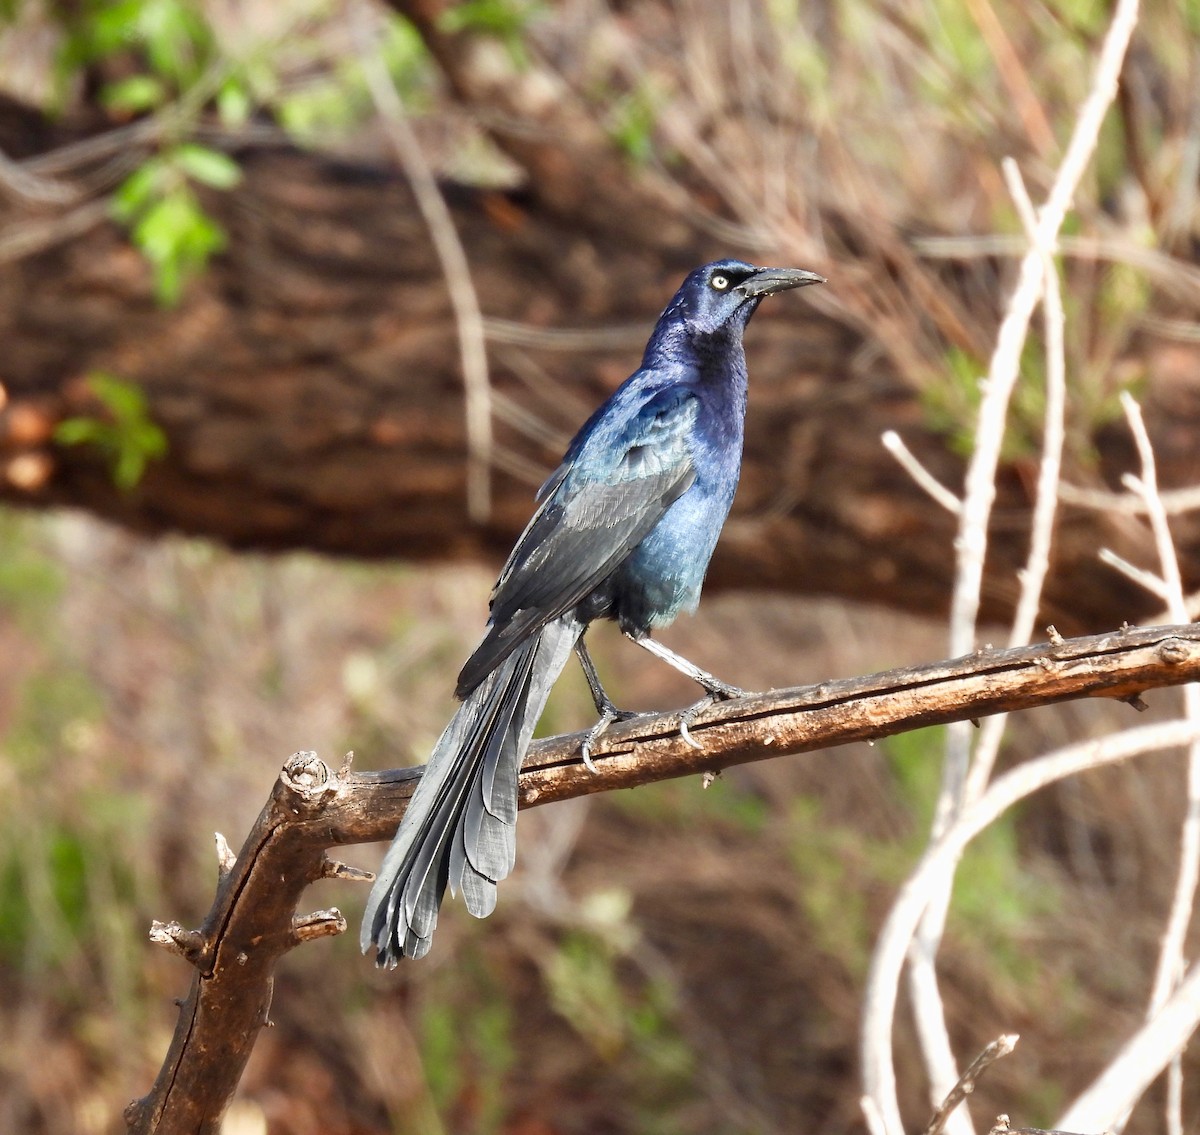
x: 625, y: 530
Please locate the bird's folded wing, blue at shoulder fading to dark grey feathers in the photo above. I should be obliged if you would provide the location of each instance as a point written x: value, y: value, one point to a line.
x: 613, y: 489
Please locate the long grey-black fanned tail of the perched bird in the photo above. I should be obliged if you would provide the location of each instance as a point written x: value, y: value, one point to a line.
x: 461, y: 822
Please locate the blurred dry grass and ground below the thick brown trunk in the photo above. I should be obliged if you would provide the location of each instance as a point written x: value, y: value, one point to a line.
x: 670, y: 959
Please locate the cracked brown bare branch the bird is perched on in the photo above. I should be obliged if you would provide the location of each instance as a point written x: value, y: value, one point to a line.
x: 253, y: 926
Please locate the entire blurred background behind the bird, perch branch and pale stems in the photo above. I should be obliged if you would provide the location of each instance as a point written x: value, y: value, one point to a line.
x: 250, y: 511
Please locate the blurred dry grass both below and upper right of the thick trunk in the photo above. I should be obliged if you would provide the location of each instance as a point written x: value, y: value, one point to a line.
x: 673, y: 959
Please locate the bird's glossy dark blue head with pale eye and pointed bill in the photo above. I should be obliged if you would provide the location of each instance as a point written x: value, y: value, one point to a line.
x: 722, y: 297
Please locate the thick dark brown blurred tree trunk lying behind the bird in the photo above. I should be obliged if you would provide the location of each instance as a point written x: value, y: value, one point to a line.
x: 310, y: 391
